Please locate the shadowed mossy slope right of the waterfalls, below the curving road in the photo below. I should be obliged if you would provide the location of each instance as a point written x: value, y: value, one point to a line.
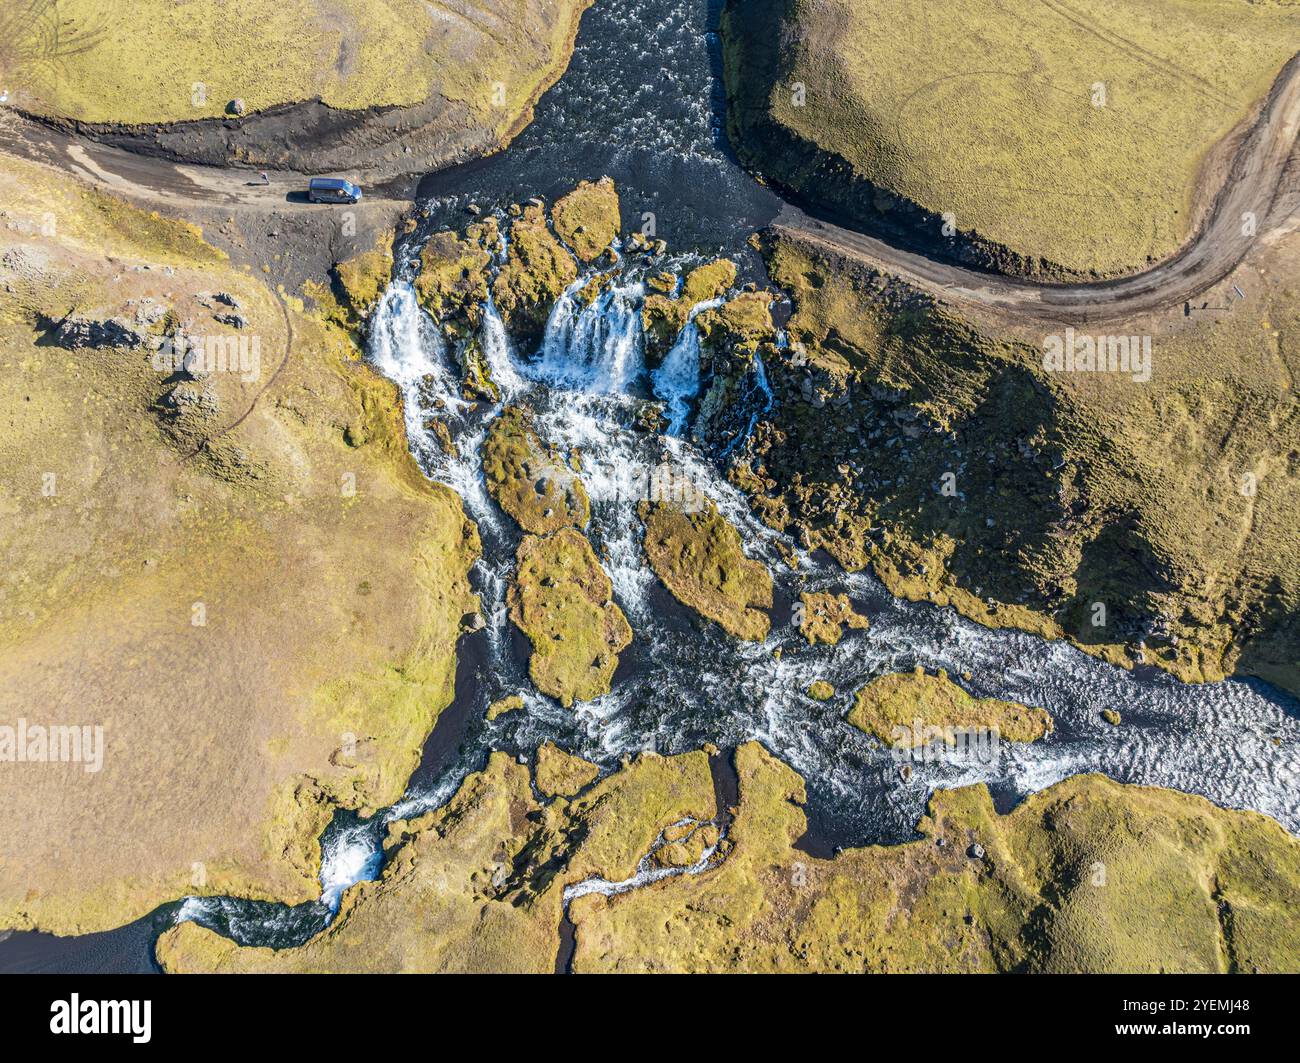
x: 1172, y: 504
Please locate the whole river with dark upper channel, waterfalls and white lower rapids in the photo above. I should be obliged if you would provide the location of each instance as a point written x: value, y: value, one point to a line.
x: 642, y: 103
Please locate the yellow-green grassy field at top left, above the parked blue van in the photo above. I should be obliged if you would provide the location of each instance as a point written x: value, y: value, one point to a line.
x: 138, y: 62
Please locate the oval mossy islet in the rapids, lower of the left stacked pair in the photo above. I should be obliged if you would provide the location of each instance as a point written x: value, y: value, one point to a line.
x: 564, y: 602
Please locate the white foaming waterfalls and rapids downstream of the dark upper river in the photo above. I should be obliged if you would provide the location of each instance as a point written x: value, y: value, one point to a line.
x: 684, y: 684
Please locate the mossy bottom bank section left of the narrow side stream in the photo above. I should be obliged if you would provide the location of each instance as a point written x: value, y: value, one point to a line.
x: 478, y: 886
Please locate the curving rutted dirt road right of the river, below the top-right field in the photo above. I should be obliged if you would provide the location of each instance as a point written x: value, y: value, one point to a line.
x: 1251, y: 189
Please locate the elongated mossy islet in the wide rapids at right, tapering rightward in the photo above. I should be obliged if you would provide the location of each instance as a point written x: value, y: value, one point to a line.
x: 913, y: 709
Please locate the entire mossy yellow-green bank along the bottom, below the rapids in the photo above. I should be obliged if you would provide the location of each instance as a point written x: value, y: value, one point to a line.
x: 1090, y: 875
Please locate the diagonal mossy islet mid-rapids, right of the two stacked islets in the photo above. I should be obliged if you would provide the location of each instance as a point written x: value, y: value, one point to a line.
x: 700, y: 559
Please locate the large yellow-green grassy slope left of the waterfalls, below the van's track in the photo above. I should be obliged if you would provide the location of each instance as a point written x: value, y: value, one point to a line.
x: 265, y: 626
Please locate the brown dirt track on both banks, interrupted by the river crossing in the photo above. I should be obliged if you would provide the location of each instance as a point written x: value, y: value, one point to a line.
x: 1251, y: 205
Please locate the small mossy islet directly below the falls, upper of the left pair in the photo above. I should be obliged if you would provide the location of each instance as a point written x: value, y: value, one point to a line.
x: 528, y: 481
